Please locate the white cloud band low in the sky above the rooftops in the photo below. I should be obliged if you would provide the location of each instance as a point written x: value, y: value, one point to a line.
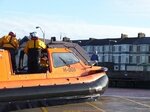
x: 55, y: 27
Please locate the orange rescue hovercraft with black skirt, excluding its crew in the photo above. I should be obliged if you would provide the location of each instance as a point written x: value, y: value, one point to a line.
x: 67, y: 75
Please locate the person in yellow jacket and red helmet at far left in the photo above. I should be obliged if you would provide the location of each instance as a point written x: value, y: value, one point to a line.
x: 10, y: 43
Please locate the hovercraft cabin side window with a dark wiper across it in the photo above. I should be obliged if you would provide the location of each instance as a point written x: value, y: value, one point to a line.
x: 64, y: 59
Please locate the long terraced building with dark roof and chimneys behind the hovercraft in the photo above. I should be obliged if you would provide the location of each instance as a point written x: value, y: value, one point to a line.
x: 124, y: 54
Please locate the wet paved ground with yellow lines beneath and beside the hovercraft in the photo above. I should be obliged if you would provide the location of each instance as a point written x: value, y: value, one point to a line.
x: 114, y: 100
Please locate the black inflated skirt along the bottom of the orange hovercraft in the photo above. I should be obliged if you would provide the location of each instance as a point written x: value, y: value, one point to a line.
x: 56, y: 91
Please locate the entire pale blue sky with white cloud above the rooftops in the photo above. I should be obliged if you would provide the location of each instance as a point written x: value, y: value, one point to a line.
x: 77, y: 19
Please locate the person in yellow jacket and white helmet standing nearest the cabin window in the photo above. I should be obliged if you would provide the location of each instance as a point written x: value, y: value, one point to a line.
x: 33, y: 50
